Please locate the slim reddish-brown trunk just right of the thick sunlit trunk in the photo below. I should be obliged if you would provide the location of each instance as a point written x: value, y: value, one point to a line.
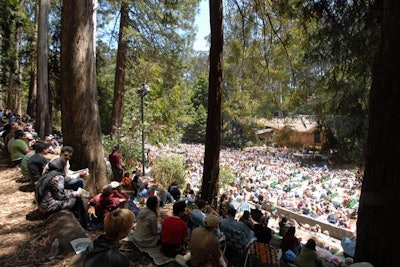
x: 119, y: 82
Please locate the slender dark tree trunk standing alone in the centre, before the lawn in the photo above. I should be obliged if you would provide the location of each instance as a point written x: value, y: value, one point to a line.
x: 209, y: 188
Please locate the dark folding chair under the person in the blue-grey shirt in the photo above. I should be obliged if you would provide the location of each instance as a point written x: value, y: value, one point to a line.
x: 238, y: 242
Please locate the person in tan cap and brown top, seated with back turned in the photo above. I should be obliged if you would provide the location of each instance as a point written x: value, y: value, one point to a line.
x: 204, y: 245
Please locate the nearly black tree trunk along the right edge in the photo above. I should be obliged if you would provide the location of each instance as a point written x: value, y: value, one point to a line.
x: 378, y: 231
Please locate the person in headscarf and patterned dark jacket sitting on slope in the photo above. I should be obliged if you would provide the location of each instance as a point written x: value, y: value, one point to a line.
x: 51, y: 195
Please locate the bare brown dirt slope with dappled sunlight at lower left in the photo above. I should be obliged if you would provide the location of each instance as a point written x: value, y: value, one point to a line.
x: 24, y: 238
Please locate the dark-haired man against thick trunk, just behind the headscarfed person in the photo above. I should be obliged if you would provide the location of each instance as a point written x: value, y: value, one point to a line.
x: 73, y: 179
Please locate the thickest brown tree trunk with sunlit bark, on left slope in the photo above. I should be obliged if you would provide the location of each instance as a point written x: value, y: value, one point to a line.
x: 79, y: 107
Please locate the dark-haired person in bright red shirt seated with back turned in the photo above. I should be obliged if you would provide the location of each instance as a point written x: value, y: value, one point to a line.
x: 174, y: 232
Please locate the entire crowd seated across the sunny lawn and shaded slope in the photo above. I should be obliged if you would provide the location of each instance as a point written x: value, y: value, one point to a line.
x: 194, y: 234
